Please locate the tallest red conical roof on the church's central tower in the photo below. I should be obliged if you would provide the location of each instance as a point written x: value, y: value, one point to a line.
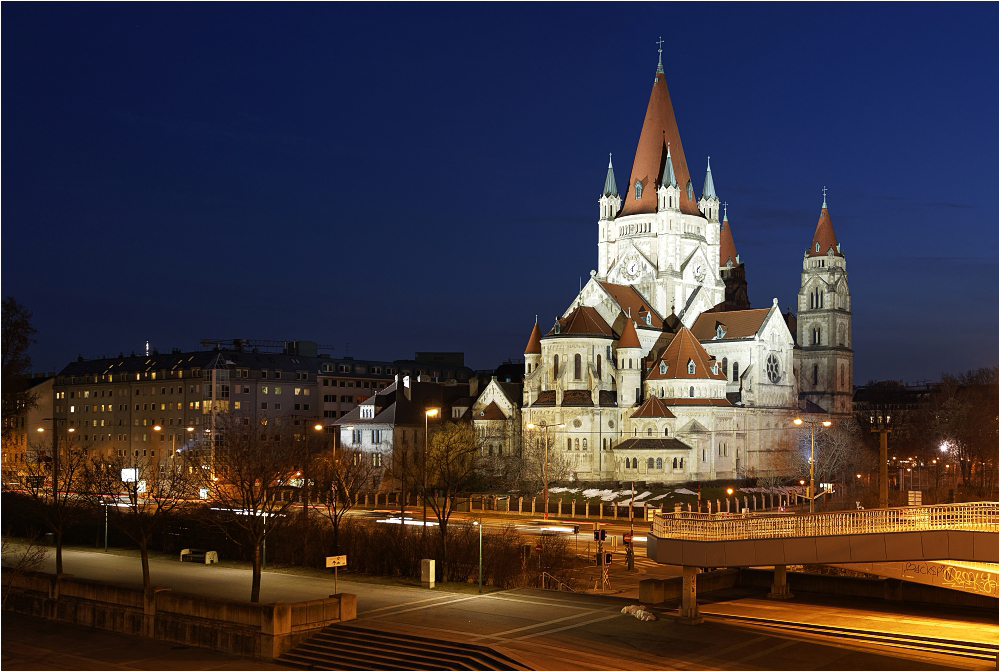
x: 659, y: 129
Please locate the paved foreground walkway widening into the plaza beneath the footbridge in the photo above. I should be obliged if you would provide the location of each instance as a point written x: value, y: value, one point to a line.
x: 558, y: 630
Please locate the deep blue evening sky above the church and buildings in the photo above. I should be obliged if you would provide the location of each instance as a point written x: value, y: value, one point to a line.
x: 425, y: 177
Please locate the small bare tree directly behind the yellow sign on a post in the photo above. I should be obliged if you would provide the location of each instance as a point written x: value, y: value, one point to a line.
x: 340, y: 478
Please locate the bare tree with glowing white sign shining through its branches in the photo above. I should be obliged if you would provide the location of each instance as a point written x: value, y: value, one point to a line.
x: 139, y: 493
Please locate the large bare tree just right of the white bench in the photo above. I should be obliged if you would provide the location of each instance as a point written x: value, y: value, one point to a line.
x: 256, y: 467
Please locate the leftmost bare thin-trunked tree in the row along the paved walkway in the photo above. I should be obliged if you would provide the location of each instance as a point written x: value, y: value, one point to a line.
x: 54, y: 502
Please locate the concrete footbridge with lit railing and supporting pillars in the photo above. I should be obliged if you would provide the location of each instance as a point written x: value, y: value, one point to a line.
x: 952, y: 532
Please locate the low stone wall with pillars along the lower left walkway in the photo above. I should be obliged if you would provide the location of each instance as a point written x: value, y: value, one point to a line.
x: 233, y: 626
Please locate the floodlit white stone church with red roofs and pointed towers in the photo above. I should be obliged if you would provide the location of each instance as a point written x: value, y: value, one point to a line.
x: 659, y: 370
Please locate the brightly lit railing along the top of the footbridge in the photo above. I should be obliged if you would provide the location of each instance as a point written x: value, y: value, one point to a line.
x: 976, y: 516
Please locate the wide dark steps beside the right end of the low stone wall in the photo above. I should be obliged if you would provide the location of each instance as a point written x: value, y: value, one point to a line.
x: 347, y: 647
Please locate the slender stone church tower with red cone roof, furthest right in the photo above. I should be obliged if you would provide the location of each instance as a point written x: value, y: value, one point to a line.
x: 825, y: 359
